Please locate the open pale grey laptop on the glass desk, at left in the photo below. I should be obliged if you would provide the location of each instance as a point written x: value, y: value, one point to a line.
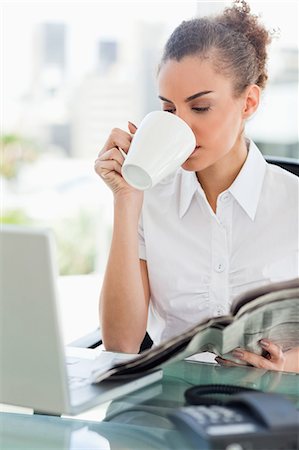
x: 35, y: 371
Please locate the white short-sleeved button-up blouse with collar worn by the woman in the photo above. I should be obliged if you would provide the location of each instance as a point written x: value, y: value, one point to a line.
x: 198, y: 261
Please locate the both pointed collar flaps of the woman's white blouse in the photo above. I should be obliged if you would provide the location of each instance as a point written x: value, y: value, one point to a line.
x: 245, y: 189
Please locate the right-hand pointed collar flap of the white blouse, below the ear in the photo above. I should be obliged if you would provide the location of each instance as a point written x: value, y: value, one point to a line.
x: 246, y: 188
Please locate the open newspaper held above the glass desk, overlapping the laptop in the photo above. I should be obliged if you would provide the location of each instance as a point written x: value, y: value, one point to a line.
x: 270, y: 311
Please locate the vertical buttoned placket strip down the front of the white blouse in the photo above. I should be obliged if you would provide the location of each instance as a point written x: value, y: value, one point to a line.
x: 221, y: 243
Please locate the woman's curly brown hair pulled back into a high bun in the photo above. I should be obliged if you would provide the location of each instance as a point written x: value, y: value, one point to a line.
x: 235, y: 42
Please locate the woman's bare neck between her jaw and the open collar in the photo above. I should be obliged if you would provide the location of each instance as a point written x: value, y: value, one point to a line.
x: 220, y: 176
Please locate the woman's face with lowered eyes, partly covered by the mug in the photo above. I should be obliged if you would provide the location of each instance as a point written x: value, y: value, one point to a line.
x: 204, y: 99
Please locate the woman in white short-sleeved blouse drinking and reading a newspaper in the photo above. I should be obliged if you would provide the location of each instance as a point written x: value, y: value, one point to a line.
x: 187, y: 247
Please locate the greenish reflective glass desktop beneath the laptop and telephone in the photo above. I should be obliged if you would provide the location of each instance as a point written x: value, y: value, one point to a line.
x: 139, y: 420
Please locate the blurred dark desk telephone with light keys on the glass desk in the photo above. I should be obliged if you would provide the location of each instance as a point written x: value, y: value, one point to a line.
x: 247, y: 421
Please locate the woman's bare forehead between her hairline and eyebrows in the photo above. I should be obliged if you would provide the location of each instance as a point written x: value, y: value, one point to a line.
x: 190, y: 75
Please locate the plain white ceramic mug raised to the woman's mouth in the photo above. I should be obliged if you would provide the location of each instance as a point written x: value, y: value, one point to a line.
x: 161, y: 144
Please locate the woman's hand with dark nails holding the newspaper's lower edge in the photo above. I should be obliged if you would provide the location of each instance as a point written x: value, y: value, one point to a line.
x: 274, y: 359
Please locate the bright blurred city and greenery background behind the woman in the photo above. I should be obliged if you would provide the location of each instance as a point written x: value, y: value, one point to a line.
x: 73, y: 70
